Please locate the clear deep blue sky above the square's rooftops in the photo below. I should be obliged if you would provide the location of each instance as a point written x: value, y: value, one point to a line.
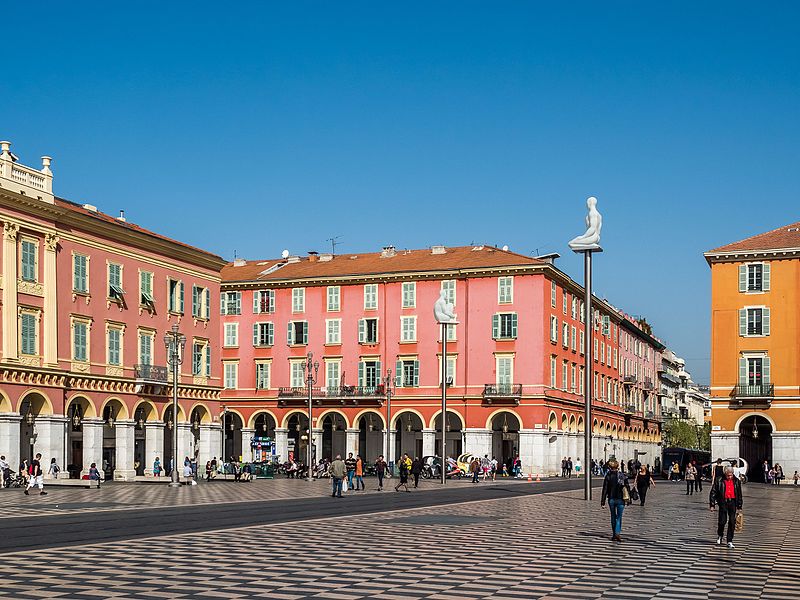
x: 254, y: 127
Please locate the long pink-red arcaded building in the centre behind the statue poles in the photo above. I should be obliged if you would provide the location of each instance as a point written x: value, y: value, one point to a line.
x: 514, y: 369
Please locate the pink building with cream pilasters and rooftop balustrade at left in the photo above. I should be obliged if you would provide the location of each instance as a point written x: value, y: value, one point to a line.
x: 86, y: 301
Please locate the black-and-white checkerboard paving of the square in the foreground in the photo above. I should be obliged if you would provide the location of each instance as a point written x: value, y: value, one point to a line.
x: 551, y: 546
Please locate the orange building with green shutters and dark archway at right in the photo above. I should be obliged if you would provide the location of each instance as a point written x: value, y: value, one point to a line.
x: 755, y: 371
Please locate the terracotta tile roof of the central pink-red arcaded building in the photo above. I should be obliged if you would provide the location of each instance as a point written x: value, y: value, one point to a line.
x: 342, y: 265
